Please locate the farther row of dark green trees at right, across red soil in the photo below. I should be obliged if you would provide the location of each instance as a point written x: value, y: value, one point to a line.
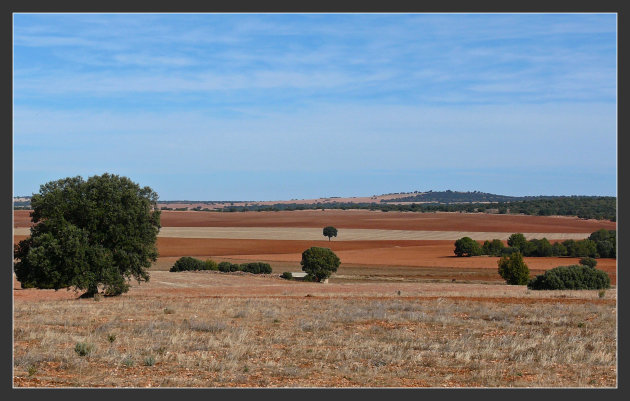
x: 600, y: 244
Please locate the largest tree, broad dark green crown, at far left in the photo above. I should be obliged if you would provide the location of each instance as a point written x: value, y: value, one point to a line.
x: 89, y: 233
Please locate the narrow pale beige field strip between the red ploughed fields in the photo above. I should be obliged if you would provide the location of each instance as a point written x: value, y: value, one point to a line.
x: 348, y: 234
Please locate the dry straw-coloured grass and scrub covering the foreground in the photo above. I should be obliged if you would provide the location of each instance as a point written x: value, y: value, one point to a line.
x: 314, y: 341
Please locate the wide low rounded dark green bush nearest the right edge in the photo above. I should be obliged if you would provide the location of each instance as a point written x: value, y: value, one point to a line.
x: 574, y: 277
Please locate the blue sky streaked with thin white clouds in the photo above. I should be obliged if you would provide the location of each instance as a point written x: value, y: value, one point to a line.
x: 299, y: 106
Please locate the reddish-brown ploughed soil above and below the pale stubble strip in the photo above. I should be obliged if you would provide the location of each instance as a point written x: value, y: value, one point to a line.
x: 381, y: 254
